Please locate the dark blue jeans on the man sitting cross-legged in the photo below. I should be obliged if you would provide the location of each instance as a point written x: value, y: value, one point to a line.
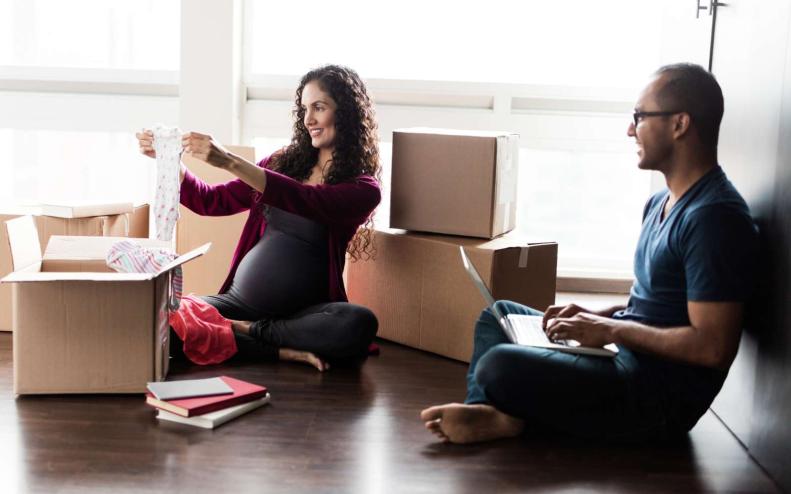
x: 627, y: 397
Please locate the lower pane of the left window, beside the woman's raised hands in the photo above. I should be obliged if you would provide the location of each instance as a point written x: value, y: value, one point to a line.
x: 75, y: 146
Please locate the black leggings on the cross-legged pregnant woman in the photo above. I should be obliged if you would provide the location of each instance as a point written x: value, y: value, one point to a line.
x: 335, y: 331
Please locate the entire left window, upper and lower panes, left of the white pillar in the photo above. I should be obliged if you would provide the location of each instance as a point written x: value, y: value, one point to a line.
x: 77, y: 79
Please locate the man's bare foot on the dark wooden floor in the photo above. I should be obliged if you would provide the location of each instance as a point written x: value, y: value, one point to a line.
x: 457, y: 423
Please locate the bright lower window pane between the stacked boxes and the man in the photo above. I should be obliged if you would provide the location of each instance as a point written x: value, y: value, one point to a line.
x: 596, y: 226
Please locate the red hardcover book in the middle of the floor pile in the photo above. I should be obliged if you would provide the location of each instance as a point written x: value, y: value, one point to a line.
x: 189, y: 407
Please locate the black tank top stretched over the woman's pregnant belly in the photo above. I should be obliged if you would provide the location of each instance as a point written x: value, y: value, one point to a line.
x: 287, y: 270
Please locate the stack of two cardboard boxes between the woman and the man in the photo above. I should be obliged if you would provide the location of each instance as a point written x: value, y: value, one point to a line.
x: 461, y: 186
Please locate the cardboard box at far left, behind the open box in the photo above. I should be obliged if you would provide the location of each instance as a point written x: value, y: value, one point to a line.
x: 131, y: 224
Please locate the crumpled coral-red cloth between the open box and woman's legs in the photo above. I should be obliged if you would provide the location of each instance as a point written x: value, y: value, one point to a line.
x: 207, y: 336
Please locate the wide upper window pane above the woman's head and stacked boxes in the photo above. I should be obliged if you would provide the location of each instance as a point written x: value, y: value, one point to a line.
x: 569, y: 43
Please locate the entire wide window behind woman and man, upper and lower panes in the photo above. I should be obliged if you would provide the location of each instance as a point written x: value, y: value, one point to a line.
x: 564, y: 75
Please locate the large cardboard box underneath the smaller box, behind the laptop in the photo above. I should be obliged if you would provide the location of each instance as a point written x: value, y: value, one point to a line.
x: 423, y: 296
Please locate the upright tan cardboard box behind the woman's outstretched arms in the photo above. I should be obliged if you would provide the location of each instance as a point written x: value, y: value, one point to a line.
x: 204, y: 276
